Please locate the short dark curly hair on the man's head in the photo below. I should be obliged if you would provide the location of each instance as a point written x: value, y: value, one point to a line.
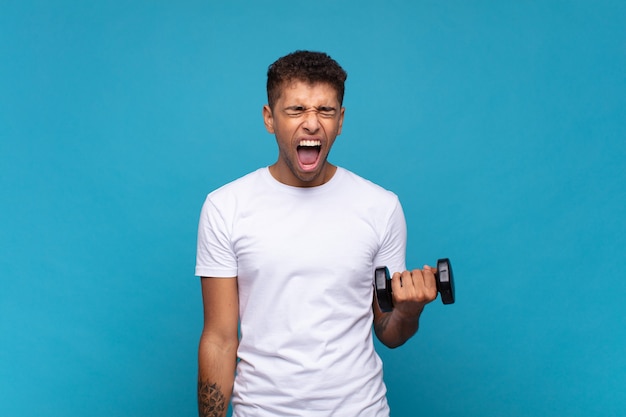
x: 307, y: 66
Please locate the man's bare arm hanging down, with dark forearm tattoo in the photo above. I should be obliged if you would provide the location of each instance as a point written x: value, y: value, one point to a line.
x: 217, y: 353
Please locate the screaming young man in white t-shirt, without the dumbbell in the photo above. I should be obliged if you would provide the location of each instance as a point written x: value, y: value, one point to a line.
x: 287, y: 253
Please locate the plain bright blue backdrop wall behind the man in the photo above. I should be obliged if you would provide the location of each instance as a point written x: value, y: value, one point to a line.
x: 501, y: 126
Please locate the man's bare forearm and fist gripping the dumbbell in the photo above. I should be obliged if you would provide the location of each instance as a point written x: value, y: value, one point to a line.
x: 412, y: 290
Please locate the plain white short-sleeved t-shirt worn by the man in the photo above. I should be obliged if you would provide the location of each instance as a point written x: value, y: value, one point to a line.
x: 304, y: 259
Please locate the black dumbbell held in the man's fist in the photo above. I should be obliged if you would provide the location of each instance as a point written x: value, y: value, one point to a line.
x: 443, y: 278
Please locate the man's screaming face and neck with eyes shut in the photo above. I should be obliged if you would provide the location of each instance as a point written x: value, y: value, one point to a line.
x: 305, y: 119
